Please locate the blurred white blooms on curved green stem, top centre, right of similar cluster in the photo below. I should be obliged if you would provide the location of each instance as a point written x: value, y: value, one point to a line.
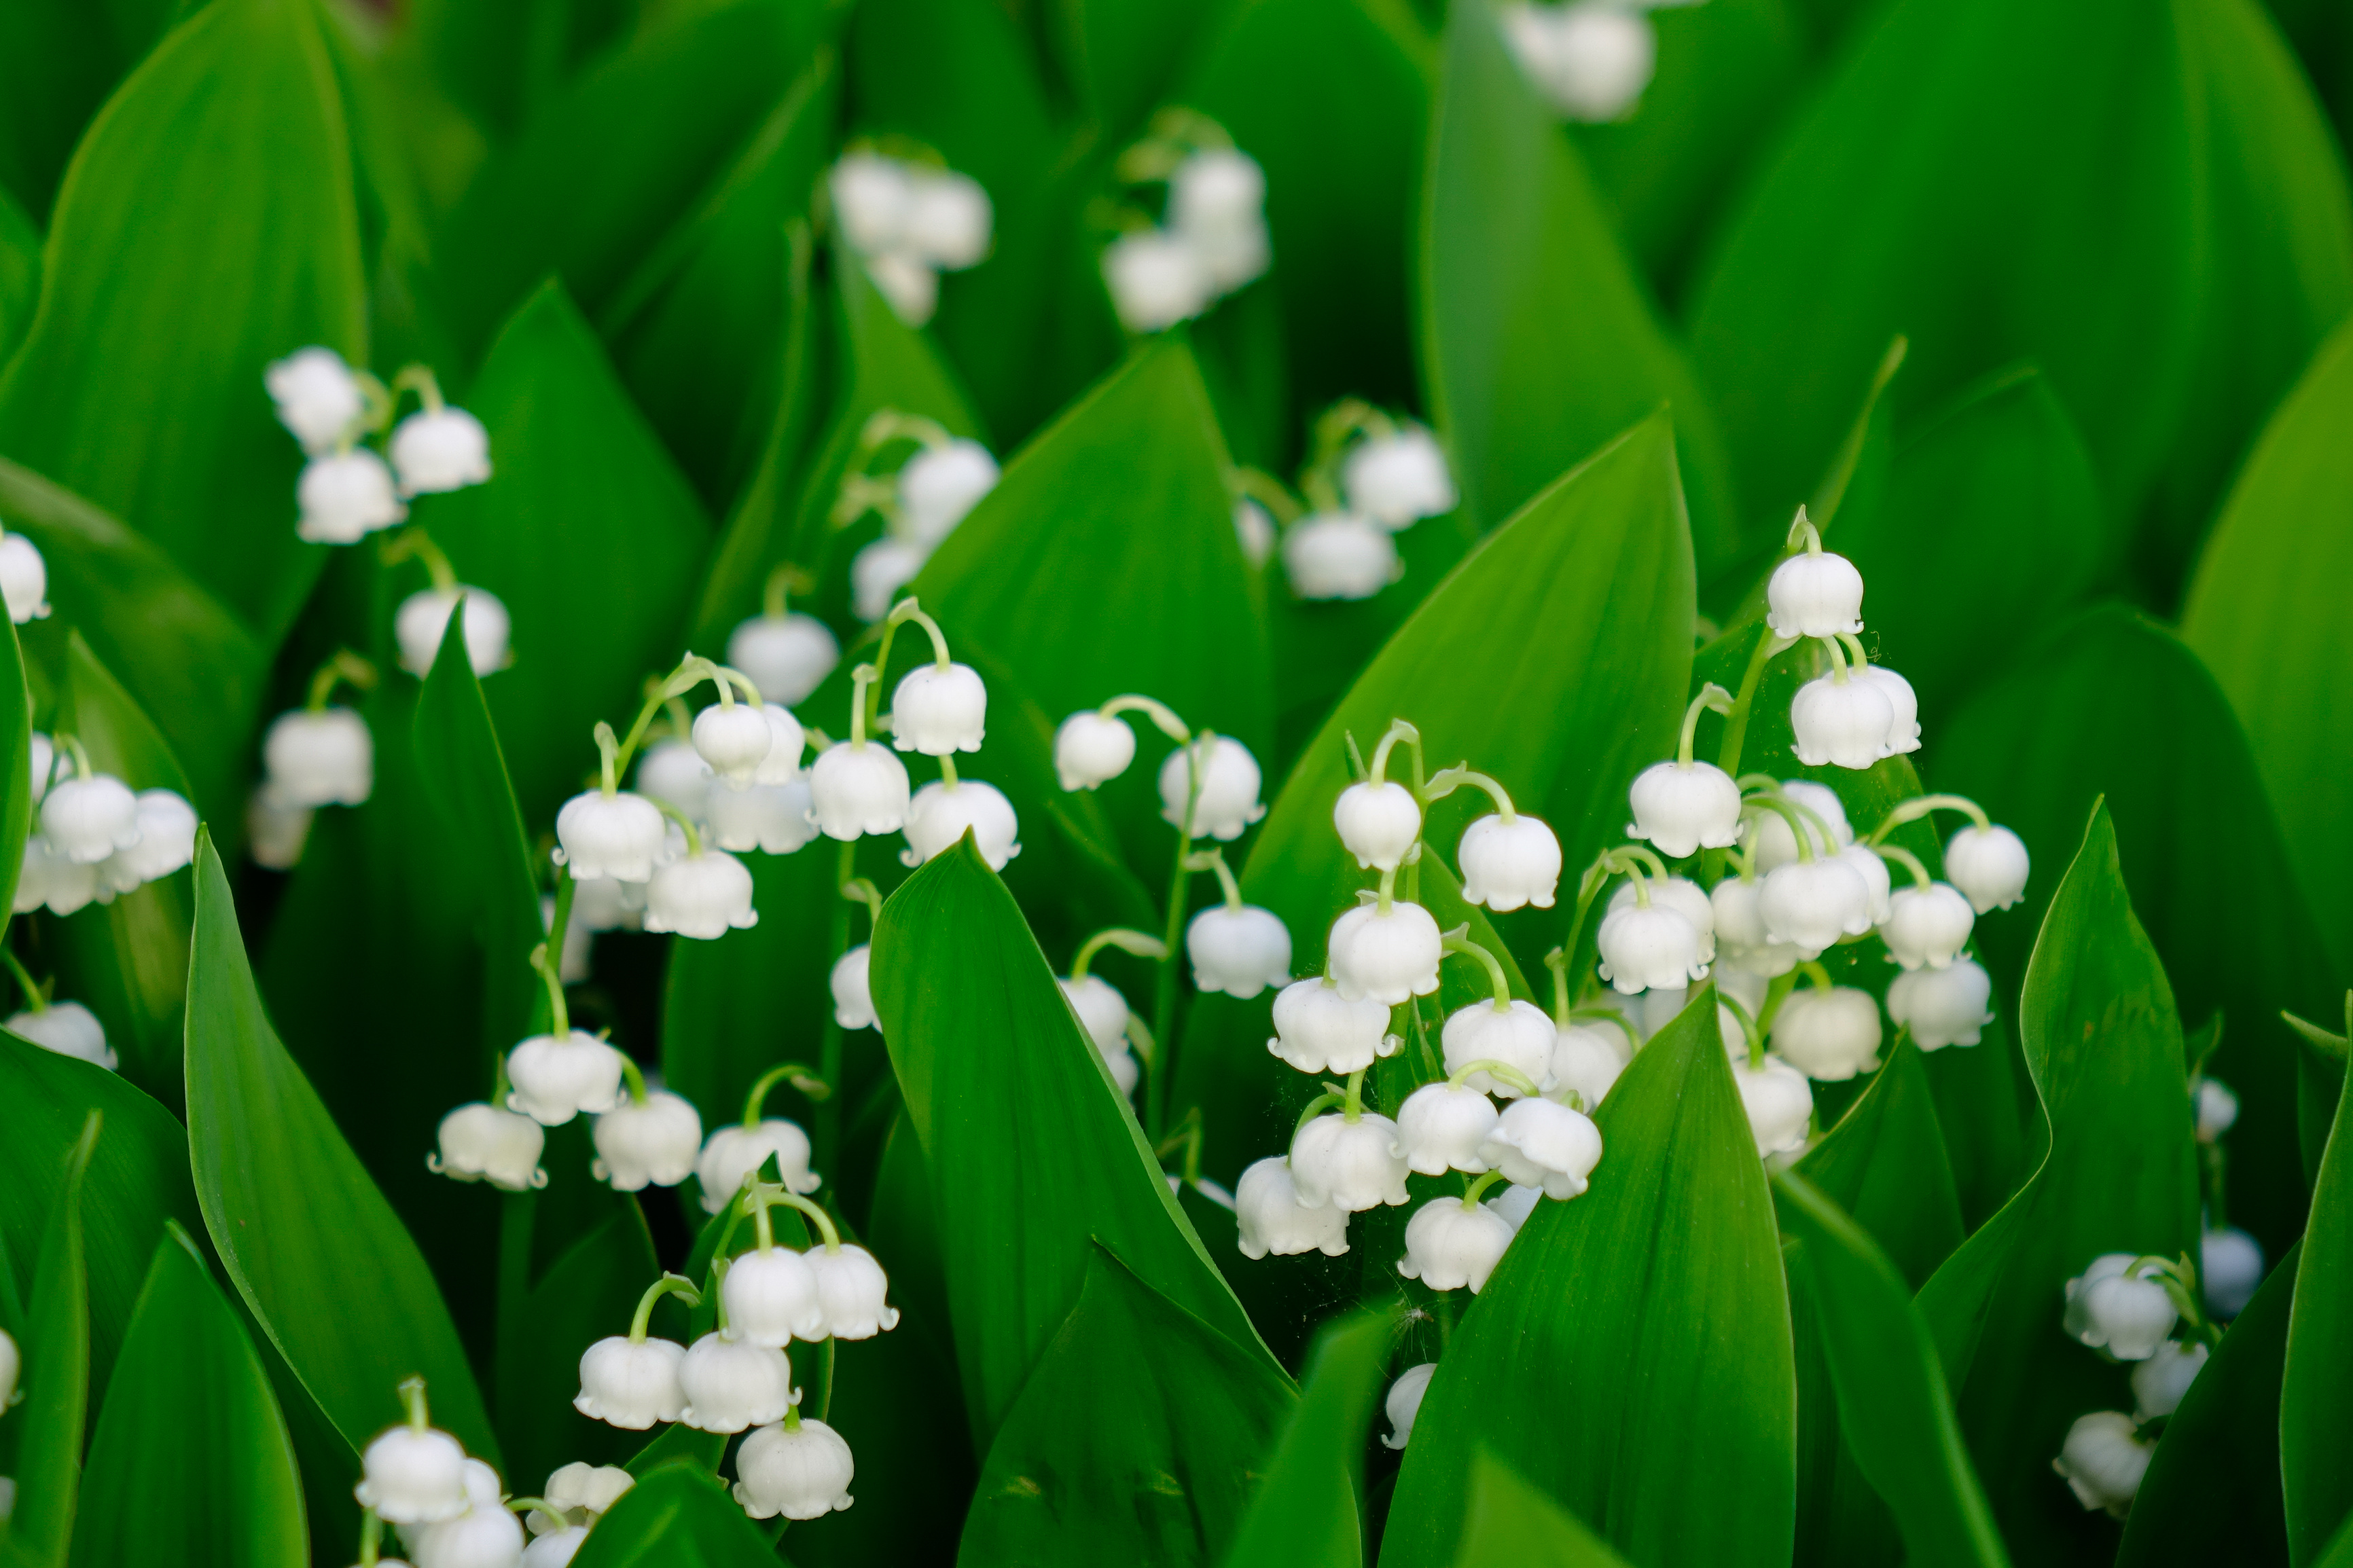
x: 1211, y: 239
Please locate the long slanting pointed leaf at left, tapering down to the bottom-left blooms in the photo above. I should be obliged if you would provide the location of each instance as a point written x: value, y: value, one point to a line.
x: 309, y: 1242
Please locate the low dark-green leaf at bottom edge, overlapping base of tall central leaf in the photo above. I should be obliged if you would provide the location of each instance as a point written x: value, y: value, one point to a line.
x: 1135, y: 1440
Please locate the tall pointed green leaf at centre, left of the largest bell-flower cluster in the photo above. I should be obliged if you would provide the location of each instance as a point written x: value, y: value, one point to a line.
x: 1020, y: 1118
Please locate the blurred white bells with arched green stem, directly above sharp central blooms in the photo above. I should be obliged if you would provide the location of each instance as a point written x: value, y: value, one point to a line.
x: 935, y: 488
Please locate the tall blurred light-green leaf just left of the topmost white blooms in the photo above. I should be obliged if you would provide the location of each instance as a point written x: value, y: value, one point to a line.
x: 1538, y: 340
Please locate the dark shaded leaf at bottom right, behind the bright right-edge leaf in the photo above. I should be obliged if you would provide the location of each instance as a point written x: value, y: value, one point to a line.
x: 2213, y: 1489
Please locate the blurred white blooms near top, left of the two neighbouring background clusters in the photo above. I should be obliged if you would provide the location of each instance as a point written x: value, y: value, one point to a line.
x: 909, y: 222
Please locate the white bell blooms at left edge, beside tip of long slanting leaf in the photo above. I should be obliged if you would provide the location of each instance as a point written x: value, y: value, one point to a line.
x: 93, y: 836
